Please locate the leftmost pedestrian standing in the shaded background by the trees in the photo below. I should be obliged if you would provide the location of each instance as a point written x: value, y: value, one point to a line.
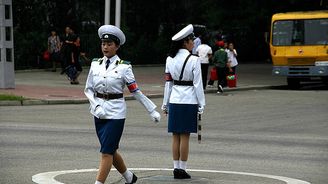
x: 54, y: 49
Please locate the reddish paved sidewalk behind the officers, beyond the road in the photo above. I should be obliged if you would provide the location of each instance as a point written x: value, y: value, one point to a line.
x: 44, y: 87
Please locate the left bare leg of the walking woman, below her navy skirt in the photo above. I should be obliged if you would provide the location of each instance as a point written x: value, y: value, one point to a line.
x: 104, y: 167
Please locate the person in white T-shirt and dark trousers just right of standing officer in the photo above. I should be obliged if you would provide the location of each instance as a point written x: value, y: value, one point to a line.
x: 204, y: 51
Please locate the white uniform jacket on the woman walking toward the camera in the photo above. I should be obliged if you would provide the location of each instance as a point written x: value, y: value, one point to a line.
x: 113, y: 81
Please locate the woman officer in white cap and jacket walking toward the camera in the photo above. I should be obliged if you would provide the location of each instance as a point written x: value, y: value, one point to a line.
x: 104, y: 88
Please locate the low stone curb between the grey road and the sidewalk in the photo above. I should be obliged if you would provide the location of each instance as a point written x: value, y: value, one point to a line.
x: 130, y: 97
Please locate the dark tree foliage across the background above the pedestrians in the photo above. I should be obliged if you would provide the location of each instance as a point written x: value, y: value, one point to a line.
x: 148, y: 25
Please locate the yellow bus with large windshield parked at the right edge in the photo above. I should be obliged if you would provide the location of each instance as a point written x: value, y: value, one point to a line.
x: 299, y: 46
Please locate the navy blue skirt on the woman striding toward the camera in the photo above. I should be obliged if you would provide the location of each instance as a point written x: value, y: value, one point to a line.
x: 109, y: 132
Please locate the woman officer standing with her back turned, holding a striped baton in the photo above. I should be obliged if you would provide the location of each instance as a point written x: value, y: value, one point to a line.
x: 183, y: 97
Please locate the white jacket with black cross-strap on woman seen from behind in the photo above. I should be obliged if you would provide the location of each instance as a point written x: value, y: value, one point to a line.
x: 183, y: 94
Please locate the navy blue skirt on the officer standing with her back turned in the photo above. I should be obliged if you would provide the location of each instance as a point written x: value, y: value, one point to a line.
x: 182, y: 118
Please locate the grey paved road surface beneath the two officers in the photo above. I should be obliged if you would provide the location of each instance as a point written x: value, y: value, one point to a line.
x: 275, y: 132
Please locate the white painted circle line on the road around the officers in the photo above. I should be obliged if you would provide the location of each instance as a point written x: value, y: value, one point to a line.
x: 49, y: 177
